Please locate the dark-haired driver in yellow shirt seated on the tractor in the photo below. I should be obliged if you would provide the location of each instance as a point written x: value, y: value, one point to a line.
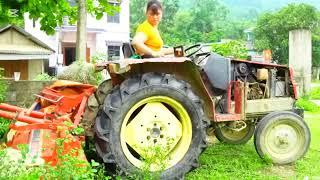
x: 147, y: 40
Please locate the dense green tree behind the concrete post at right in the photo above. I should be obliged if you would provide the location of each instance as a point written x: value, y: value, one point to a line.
x: 272, y: 30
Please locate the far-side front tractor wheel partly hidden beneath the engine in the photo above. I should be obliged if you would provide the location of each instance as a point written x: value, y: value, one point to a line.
x: 228, y: 134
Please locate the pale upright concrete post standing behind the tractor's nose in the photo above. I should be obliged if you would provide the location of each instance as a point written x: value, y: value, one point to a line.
x: 300, y: 58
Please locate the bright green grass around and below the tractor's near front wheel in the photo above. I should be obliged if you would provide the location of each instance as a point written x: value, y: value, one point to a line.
x: 221, y: 161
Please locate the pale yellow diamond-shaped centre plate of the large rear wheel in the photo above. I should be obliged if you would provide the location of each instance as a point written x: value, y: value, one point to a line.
x: 143, y: 132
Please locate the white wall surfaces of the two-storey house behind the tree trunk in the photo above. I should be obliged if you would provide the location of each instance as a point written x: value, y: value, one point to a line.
x: 101, y: 33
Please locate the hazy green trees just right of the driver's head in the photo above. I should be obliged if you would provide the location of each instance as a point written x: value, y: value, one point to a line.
x: 201, y: 23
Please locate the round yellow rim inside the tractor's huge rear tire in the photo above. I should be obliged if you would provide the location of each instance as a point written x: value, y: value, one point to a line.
x: 157, y: 121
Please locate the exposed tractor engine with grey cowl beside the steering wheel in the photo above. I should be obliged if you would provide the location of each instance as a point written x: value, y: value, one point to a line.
x: 263, y: 81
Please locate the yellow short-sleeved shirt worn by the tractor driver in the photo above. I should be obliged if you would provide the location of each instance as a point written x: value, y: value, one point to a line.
x: 154, y: 40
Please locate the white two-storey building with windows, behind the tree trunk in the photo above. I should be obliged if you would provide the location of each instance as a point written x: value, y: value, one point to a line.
x: 103, y: 36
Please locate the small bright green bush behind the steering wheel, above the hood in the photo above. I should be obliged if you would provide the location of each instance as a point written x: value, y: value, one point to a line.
x: 235, y: 49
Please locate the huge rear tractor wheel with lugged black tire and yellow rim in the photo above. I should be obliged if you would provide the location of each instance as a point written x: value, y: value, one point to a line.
x: 148, y: 111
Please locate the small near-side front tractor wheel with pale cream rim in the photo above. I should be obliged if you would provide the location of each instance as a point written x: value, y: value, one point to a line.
x: 283, y: 137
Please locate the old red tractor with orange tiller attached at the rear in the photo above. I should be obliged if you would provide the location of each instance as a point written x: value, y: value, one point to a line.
x: 169, y: 102
